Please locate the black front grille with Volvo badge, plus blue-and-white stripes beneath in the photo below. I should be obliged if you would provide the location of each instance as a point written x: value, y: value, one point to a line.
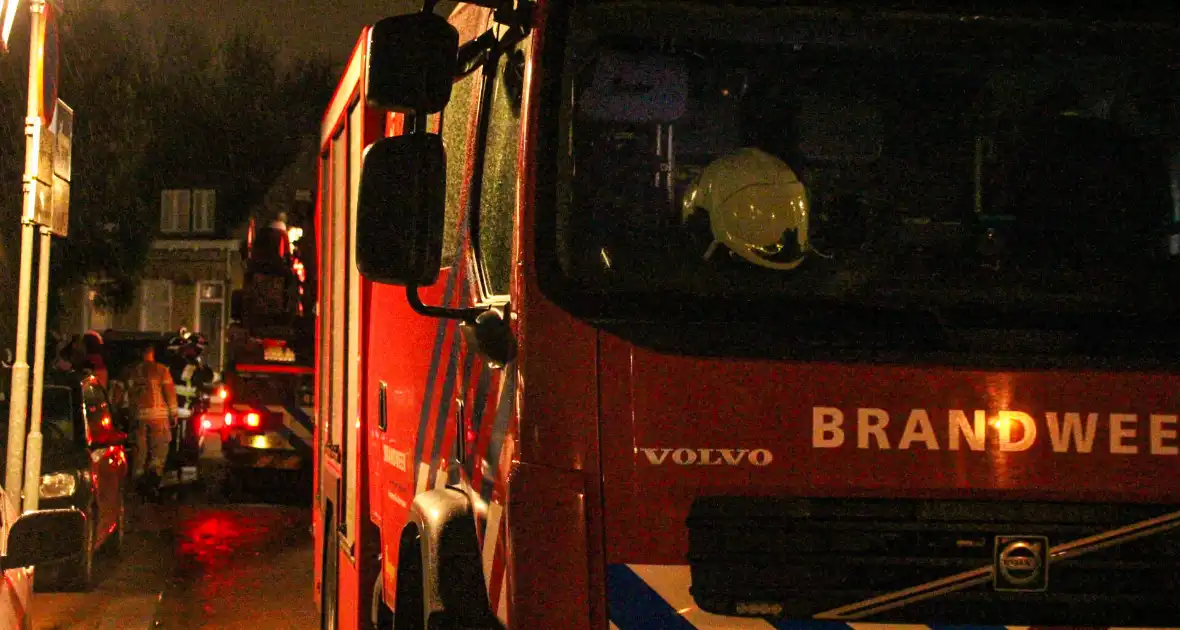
x: 777, y: 563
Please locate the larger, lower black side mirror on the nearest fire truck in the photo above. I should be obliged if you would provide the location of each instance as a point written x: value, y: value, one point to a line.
x: 401, y: 211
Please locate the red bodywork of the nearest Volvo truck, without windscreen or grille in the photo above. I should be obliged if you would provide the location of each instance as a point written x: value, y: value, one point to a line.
x: 586, y: 455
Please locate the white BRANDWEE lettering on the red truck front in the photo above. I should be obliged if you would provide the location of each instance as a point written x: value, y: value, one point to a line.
x: 959, y: 430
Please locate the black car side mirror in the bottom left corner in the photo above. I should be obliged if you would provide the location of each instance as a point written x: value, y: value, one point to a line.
x: 44, y: 537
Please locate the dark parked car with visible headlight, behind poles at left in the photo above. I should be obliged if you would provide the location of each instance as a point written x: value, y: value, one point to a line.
x: 84, y: 467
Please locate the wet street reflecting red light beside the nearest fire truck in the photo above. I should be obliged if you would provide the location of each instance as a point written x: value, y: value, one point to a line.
x: 195, y: 561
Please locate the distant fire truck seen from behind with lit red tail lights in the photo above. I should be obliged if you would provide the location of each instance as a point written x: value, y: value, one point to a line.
x: 264, y: 412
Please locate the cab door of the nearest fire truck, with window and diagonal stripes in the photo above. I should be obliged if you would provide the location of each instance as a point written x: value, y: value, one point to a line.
x: 484, y: 405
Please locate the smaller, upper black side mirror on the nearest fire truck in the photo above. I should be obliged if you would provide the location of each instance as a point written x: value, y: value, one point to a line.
x: 412, y: 62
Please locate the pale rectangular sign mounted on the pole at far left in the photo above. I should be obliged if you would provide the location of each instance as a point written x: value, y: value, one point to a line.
x: 54, y: 172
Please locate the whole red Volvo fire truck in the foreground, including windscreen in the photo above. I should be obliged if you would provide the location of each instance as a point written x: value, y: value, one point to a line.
x: 684, y: 314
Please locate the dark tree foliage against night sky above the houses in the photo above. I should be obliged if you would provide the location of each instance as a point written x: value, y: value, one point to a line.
x: 155, y: 109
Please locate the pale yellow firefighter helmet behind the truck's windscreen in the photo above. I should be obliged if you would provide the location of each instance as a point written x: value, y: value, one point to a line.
x: 757, y: 207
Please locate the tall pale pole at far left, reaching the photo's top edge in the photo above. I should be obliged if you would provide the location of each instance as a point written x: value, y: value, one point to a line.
x: 19, y: 398
